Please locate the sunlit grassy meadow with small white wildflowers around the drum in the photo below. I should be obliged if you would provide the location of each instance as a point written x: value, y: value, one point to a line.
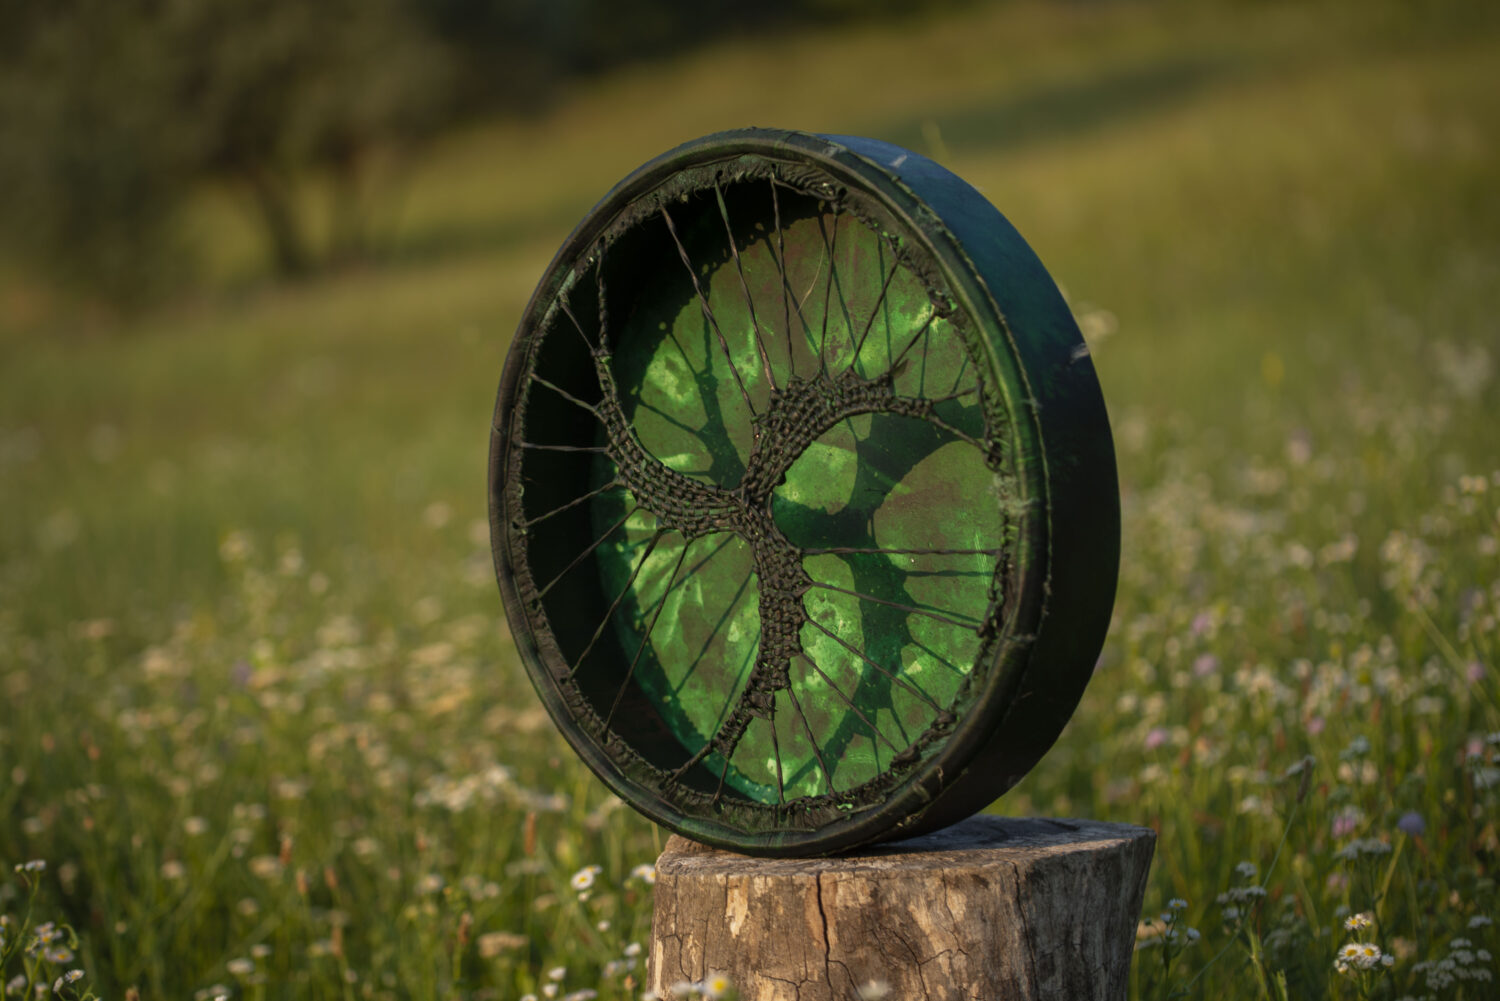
x: 260, y: 717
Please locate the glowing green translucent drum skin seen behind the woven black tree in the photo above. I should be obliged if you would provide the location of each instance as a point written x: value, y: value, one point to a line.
x: 911, y: 504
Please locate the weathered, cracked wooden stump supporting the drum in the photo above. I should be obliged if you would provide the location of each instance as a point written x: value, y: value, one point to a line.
x: 992, y: 909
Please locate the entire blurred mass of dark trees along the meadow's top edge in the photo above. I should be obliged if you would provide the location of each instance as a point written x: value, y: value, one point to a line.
x: 113, y: 110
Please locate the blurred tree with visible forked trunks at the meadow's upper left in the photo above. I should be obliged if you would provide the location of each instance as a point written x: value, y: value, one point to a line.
x: 271, y: 89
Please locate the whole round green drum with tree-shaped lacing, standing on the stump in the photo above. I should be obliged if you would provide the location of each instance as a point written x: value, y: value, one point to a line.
x: 803, y: 497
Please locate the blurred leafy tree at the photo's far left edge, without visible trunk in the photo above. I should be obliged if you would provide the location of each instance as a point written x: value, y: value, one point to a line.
x: 89, y: 160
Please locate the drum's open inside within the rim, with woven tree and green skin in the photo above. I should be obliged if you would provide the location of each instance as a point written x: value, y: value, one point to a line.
x: 764, y: 485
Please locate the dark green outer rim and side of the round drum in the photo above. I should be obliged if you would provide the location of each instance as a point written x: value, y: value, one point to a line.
x: 1066, y: 540
